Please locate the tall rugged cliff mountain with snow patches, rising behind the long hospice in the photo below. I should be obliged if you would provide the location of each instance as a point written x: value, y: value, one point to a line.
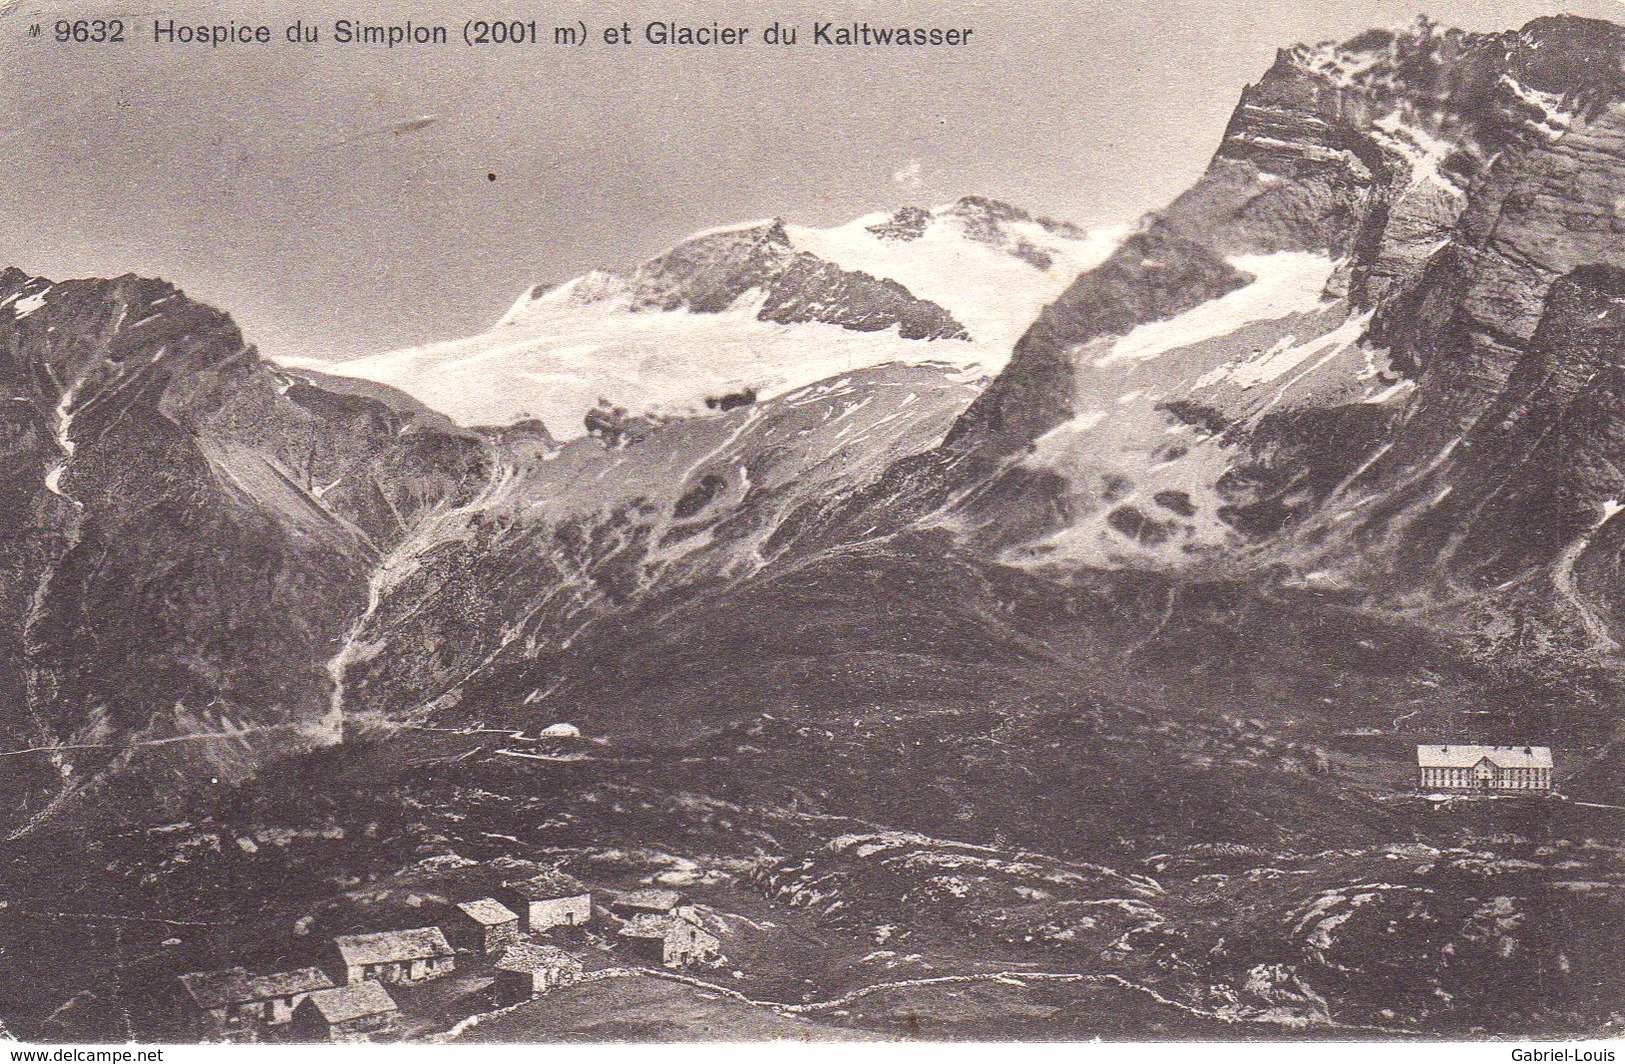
x: 1447, y: 204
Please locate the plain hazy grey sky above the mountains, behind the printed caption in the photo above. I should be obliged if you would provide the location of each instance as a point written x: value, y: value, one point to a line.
x: 269, y: 179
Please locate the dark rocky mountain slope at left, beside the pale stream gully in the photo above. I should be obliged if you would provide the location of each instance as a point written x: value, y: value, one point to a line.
x: 188, y: 534
